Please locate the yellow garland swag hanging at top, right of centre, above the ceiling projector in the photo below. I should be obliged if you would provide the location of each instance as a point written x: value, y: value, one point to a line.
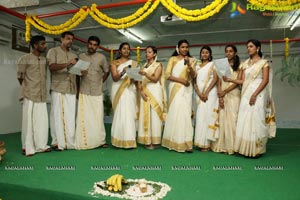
x: 194, y: 15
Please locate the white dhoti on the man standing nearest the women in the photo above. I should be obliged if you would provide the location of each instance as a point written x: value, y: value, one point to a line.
x: 90, y: 130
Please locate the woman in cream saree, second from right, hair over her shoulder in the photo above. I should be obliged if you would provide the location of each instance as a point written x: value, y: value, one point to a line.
x: 229, y: 100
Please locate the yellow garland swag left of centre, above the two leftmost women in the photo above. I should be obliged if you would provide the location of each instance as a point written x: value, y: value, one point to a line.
x: 125, y: 22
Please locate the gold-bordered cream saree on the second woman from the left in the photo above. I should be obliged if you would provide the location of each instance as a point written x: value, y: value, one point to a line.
x: 152, y: 111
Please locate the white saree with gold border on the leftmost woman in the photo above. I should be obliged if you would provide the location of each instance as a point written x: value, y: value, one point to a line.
x: 123, y: 130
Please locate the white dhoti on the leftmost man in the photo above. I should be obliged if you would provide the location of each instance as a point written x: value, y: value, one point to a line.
x: 34, y: 127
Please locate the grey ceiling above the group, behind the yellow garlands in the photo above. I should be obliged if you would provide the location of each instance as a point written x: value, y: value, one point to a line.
x: 220, y: 28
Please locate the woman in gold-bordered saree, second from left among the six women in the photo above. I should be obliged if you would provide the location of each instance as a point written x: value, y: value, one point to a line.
x: 153, y: 101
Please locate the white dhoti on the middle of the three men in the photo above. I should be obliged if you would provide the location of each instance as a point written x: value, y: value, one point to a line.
x: 63, y: 120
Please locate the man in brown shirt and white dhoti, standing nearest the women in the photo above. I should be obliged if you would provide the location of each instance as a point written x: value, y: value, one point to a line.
x: 90, y: 130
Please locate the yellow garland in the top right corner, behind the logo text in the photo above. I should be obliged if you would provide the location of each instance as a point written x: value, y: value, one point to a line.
x: 277, y: 5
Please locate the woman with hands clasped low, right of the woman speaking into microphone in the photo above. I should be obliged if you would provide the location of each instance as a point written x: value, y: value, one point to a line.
x: 207, y: 101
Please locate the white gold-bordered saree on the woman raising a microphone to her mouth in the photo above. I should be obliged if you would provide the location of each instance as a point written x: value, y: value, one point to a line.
x: 178, y: 131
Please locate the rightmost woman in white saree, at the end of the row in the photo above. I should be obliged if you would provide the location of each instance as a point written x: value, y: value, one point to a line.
x: 252, y: 130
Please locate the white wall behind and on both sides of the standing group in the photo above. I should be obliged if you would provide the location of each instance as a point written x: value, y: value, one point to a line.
x: 286, y: 97
